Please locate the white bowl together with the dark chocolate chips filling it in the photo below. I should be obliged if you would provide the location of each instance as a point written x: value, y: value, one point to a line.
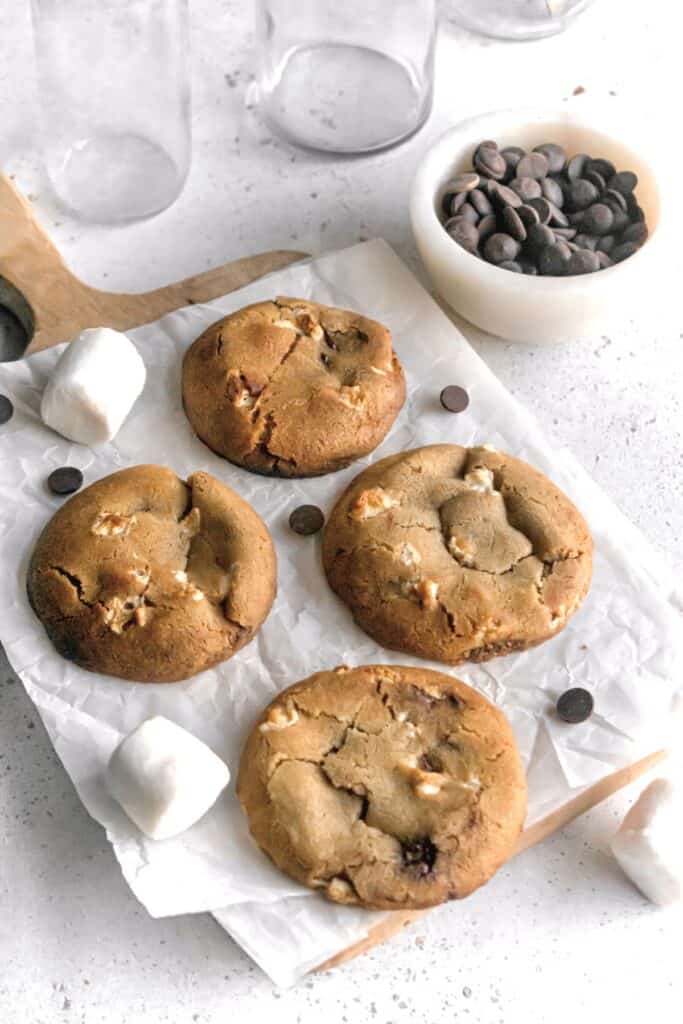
x: 537, y: 228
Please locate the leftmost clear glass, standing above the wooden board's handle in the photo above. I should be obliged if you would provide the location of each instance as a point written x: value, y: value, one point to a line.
x: 114, y: 84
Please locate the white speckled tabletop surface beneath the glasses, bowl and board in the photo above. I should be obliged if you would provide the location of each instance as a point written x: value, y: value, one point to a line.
x: 560, y: 935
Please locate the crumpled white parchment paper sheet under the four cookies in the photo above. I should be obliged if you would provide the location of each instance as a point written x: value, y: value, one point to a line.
x: 624, y: 646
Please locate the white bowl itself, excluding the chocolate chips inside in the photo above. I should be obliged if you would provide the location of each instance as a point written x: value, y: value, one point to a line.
x: 522, y: 308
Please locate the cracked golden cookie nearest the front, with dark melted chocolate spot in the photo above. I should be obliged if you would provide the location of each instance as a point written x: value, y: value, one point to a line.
x: 387, y: 787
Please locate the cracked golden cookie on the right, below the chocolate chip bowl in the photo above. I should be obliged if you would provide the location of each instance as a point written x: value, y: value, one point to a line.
x: 457, y: 554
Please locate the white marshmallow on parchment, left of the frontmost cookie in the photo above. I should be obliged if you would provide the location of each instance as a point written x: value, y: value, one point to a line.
x: 165, y: 779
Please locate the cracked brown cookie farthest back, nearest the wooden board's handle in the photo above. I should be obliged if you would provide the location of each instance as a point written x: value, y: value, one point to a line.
x: 292, y: 389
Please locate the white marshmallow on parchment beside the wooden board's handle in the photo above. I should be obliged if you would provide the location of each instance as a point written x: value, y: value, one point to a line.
x: 94, y: 387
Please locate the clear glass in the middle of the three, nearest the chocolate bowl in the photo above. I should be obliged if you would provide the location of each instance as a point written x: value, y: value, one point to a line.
x: 349, y: 77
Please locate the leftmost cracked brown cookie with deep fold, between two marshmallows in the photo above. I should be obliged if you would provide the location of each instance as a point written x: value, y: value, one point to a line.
x: 145, y: 577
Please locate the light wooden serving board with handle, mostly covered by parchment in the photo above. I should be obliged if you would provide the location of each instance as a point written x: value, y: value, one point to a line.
x: 53, y: 306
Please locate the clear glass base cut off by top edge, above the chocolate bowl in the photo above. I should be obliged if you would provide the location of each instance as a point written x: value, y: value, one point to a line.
x: 516, y: 19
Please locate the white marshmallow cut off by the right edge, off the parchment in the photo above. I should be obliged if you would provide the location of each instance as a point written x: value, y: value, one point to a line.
x: 650, y: 844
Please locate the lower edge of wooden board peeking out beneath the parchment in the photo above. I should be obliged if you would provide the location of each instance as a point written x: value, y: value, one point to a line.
x: 591, y: 797
